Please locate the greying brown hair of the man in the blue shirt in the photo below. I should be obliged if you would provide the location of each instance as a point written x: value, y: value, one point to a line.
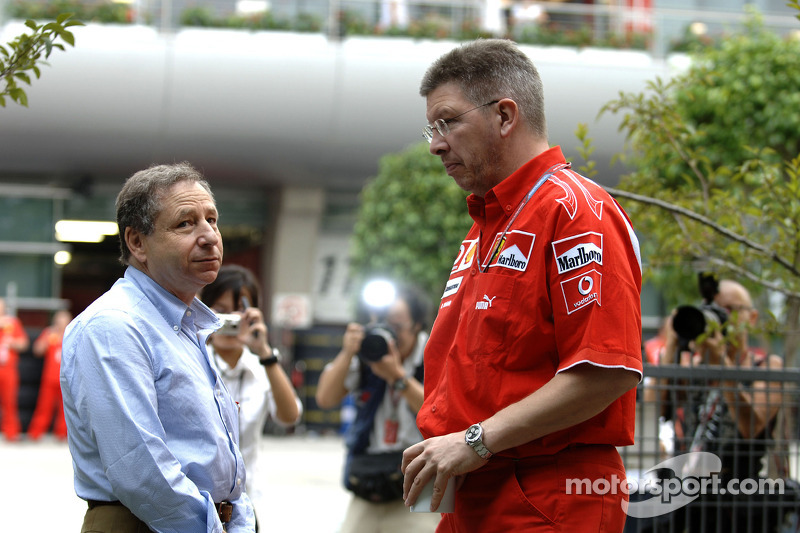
x: 139, y: 202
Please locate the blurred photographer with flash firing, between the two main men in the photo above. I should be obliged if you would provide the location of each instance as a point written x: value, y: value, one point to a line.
x: 388, y: 391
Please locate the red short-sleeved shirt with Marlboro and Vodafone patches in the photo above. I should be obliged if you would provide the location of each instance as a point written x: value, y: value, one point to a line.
x: 563, y: 289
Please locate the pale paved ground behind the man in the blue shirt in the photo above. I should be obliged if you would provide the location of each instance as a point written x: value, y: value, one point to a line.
x: 304, y: 492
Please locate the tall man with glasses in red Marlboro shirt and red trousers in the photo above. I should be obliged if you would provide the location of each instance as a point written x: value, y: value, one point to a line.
x: 535, y: 354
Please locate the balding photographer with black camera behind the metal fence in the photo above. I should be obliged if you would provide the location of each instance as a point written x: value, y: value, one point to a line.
x: 734, y: 420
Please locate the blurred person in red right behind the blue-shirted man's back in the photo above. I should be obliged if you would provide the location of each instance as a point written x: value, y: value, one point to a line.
x: 49, y: 405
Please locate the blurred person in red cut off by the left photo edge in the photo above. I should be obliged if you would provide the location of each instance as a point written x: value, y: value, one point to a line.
x: 13, y: 340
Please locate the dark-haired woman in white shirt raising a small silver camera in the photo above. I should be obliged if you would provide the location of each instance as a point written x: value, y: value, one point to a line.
x: 250, y: 368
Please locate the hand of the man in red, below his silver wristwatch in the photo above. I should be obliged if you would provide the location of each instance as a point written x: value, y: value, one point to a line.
x: 441, y: 458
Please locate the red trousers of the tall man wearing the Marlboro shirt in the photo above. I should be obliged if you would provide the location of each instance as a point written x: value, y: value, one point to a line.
x: 539, y: 494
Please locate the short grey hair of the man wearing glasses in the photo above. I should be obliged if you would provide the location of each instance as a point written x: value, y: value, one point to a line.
x: 490, y: 69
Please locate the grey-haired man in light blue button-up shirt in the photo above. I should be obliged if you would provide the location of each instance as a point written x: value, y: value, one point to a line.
x: 152, y: 430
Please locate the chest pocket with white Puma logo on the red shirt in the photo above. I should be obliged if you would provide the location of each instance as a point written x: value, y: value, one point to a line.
x: 488, y: 313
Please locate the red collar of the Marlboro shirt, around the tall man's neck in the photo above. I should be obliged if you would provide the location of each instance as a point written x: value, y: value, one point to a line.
x: 504, y: 197
